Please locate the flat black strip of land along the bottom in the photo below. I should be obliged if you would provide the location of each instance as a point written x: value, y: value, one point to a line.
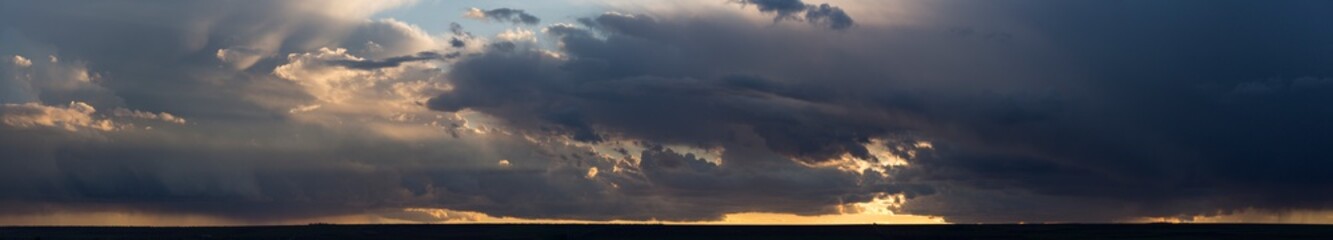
x: 682, y: 233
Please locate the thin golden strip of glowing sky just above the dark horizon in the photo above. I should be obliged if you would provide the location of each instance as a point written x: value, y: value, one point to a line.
x: 868, y: 214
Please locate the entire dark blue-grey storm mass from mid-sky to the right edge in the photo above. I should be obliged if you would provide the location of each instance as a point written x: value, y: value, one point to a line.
x: 1094, y: 117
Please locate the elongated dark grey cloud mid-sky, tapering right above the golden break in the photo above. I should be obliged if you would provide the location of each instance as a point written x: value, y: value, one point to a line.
x: 642, y: 82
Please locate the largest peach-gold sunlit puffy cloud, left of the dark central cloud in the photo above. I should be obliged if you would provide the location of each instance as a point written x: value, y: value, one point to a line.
x: 383, y: 101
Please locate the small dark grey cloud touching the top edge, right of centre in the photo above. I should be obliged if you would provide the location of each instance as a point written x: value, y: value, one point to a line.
x: 823, y: 14
